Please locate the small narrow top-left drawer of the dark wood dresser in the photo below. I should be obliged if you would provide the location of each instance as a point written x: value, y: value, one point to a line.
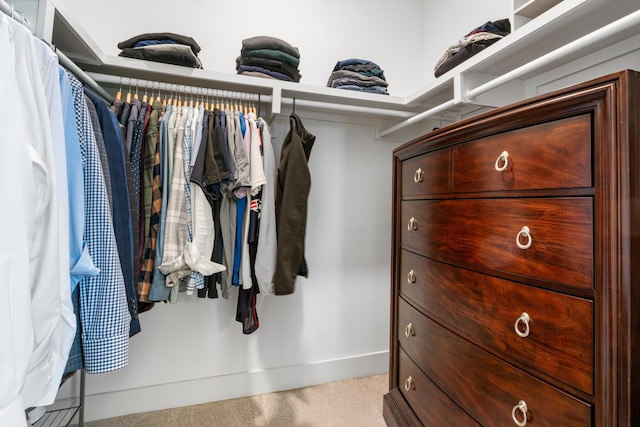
x: 426, y: 174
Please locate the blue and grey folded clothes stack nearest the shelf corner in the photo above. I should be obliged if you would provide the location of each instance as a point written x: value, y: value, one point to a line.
x: 358, y: 74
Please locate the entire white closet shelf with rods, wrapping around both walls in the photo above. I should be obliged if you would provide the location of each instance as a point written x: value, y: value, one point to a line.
x: 446, y: 97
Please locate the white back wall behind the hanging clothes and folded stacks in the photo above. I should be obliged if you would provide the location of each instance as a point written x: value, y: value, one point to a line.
x: 336, y: 324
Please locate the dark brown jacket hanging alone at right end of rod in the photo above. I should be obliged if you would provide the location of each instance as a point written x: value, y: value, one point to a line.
x: 292, y: 192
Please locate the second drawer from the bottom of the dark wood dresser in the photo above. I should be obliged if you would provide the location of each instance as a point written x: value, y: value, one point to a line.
x: 486, y: 386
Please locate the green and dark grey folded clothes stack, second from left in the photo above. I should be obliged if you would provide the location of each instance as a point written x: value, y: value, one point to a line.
x: 269, y: 57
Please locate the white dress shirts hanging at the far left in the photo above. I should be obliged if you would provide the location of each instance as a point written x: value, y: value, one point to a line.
x: 30, y: 308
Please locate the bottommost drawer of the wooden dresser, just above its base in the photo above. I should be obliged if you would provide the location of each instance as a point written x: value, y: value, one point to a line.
x: 430, y: 404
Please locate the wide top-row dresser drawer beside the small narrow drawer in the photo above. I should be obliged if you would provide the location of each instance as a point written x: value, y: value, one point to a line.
x: 549, y: 155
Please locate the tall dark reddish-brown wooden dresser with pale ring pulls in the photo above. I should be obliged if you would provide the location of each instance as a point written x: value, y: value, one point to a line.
x: 515, y: 270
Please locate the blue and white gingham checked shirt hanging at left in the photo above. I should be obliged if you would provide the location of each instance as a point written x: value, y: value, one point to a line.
x: 103, y: 310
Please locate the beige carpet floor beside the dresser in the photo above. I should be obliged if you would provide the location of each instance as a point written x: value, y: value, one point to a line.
x: 352, y: 403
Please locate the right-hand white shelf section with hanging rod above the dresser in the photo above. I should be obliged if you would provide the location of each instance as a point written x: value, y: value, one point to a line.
x: 518, y: 58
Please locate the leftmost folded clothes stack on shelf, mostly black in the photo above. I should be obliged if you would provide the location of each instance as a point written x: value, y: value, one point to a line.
x: 169, y: 48
